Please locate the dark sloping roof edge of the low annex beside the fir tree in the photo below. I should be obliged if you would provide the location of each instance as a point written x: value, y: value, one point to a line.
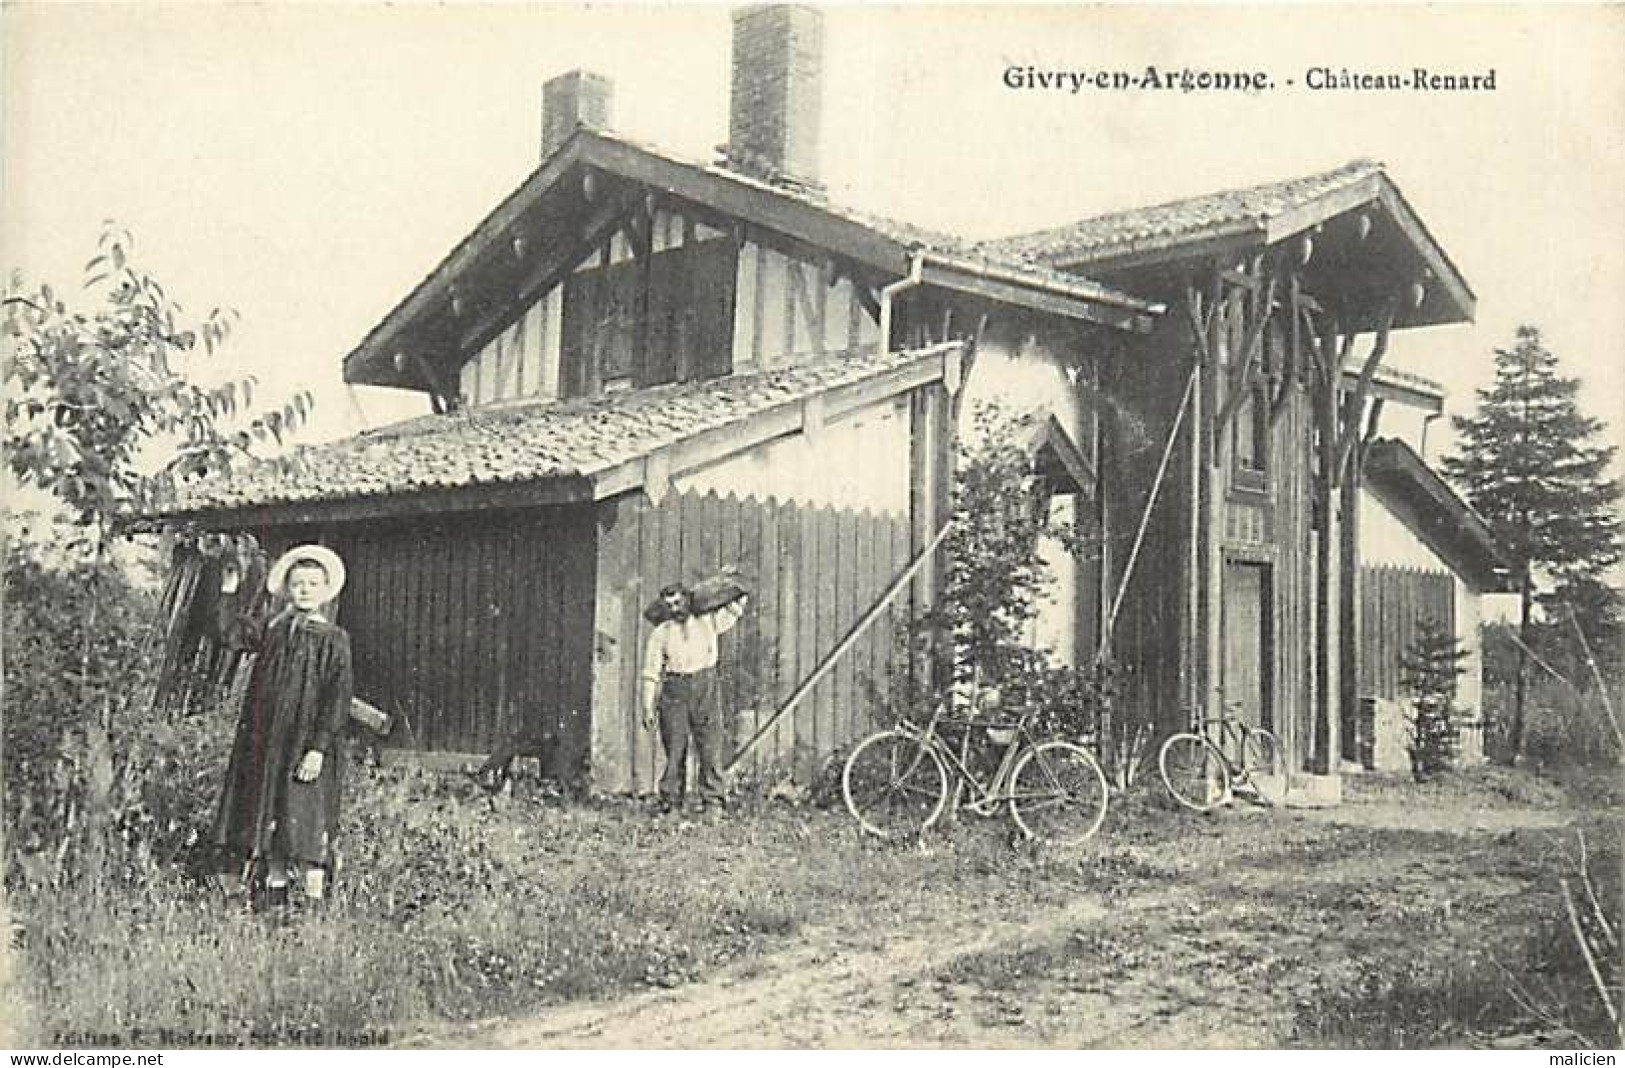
x: 1436, y: 514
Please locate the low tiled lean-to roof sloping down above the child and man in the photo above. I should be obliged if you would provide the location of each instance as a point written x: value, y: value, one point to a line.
x: 526, y: 441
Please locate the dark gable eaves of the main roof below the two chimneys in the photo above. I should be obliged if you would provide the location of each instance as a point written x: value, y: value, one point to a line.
x: 550, y: 198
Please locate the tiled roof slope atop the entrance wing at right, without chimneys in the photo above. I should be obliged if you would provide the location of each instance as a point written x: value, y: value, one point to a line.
x: 1179, y: 222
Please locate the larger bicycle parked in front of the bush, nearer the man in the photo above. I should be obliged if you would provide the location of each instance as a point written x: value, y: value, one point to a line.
x: 896, y: 783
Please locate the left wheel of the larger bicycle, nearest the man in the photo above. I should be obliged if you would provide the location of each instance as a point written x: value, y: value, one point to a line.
x: 895, y: 786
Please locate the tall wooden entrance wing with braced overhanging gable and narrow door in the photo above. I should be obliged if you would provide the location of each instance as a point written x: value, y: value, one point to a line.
x: 1283, y: 300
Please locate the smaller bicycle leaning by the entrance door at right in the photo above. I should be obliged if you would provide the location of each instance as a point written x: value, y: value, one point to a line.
x: 1202, y: 775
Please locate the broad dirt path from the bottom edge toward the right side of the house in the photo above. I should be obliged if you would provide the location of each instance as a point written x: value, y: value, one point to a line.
x: 1221, y: 950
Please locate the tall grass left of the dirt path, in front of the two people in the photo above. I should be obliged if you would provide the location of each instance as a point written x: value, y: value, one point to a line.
x: 456, y: 906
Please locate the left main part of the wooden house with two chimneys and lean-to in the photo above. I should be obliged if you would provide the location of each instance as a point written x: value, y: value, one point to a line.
x: 643, y: 368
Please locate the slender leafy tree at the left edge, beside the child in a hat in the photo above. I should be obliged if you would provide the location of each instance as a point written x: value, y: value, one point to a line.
x: 105, y: 419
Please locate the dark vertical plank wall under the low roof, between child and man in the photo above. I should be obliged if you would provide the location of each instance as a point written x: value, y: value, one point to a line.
x: 475, y: 628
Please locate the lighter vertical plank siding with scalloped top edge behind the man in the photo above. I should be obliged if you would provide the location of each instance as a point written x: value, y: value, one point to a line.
x: 815, y: 571
